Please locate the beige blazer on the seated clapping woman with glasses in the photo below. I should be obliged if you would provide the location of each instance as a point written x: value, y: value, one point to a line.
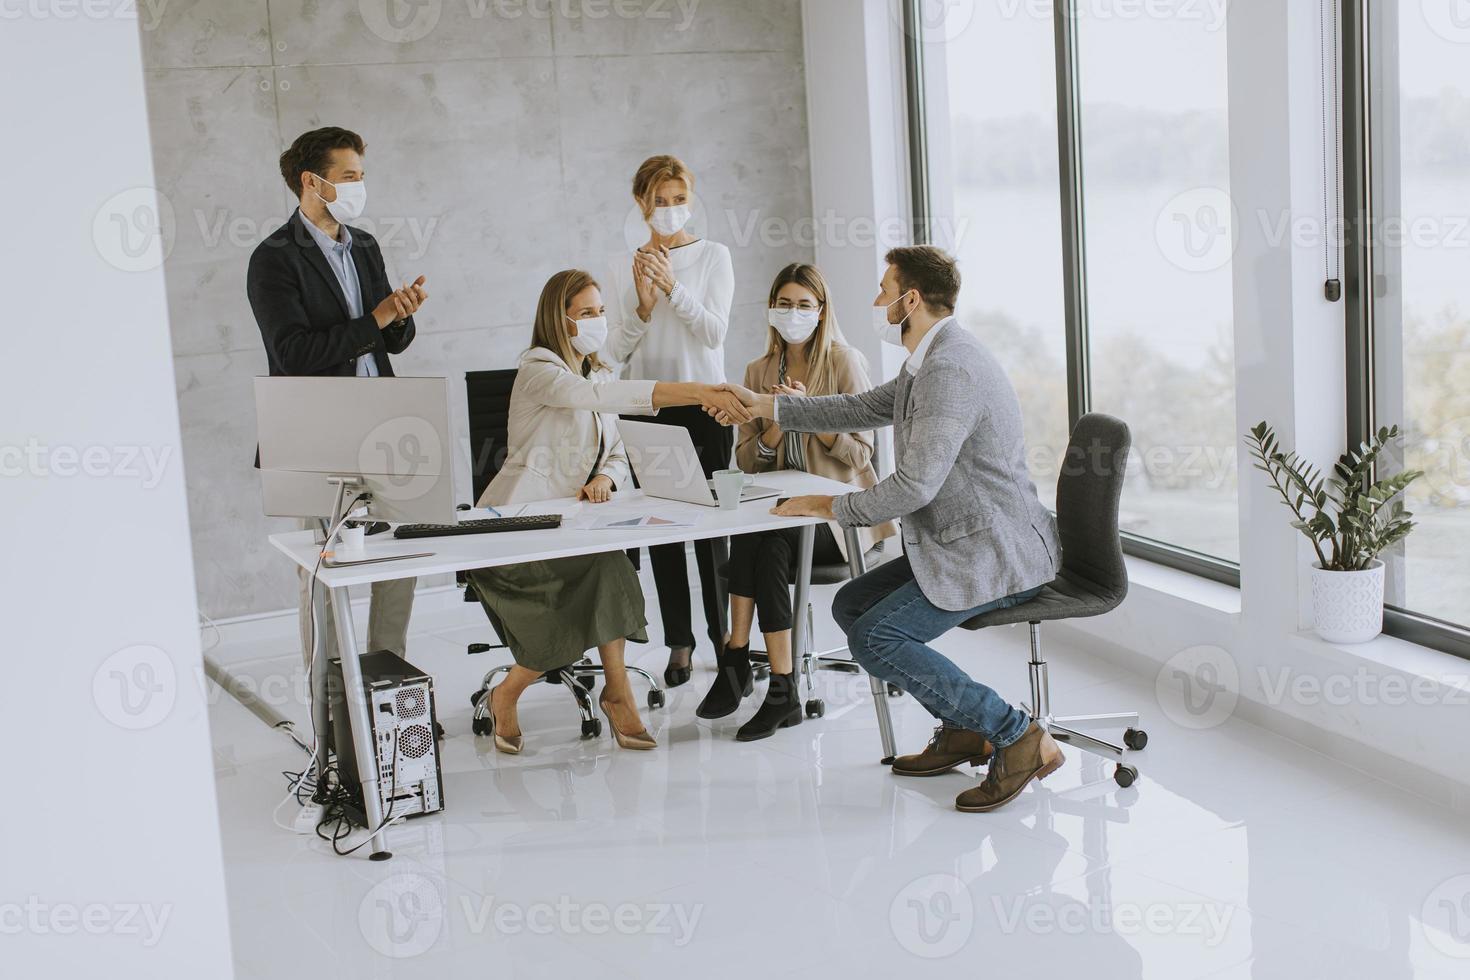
x: 850, y: 459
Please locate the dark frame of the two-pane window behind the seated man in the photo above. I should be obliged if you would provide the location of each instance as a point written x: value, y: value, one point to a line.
x: 1074, y: 243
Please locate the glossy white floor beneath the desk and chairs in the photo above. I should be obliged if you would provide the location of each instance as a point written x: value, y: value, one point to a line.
x: 1240, y: 854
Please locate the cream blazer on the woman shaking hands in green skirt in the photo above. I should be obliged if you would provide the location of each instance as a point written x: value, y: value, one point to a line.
x: 562, y: 427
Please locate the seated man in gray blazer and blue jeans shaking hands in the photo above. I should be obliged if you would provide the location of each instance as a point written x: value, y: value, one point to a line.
x: 975, y: 536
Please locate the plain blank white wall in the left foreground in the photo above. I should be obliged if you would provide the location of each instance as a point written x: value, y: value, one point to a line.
x: 112, y: 857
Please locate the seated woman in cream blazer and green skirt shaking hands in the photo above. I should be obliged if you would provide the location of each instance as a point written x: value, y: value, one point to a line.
x: 564, y: 443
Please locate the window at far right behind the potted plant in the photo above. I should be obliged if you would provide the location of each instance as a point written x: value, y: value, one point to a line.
x: 1410, y: 302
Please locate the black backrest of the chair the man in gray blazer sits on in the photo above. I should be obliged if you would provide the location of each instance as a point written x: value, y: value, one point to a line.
x: 1089, y: 491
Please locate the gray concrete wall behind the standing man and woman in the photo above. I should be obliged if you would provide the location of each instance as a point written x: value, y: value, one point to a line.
x: 502, y: 143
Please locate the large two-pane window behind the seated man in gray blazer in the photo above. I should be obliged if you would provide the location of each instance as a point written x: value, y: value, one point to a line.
x: 1094, y: 237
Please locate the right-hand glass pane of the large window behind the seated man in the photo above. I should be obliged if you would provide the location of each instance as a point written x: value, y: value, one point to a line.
x: 1156, y: 168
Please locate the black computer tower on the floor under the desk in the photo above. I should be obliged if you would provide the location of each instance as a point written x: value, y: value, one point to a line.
x: 401, y: 702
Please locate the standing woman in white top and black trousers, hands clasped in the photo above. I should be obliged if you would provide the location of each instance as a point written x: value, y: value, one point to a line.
x: 674, y: 315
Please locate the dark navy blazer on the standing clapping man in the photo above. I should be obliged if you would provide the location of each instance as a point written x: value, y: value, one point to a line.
x: 304, y: 315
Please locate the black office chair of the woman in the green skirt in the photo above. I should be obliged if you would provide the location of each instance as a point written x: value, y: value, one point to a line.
x: 489, y: 393
